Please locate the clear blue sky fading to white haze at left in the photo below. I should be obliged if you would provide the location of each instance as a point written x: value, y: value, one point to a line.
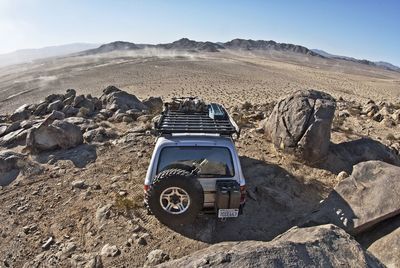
x: 362, y: 29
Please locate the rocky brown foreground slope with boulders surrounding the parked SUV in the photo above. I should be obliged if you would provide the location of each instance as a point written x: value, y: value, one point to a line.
x: 72, y: 169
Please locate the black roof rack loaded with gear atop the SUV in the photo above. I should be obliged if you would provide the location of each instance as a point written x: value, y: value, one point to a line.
x: 192, y: 115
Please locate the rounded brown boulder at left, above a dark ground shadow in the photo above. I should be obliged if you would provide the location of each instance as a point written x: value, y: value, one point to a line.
x: 53, y: 134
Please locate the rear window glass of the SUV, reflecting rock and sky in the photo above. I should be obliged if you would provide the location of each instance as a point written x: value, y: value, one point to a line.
x: 203, y: 160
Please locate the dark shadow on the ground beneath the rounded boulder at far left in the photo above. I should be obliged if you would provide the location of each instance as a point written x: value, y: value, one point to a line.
x: 80, y: 156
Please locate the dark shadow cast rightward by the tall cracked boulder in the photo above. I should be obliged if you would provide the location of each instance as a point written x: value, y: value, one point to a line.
x: 343, y: 156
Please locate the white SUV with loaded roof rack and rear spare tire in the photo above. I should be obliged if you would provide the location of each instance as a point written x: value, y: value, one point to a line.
x: 194, y: 165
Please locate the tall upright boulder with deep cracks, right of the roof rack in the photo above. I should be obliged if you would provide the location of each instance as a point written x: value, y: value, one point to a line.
x: 300, y: 124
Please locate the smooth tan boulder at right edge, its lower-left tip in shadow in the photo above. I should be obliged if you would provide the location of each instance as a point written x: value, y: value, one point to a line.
x: 367, y: 197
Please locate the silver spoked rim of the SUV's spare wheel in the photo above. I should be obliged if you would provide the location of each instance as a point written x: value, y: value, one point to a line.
x: 174, y: 200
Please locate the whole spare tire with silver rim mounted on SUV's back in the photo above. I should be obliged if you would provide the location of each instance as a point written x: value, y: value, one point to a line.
x: 175, y: 197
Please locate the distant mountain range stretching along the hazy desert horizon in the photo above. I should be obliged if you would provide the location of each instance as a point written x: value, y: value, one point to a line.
x: 26, y: 55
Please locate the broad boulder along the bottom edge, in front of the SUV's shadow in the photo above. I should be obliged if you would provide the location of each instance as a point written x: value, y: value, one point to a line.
x: 322, y: 246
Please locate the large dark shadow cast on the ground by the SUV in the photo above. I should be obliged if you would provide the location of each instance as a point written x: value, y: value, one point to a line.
x: 276, y: 201
